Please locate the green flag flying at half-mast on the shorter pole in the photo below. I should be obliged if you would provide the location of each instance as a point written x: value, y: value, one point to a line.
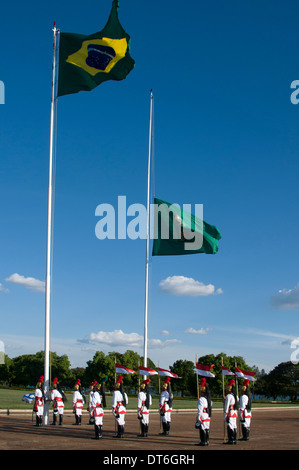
x: 177, y: 232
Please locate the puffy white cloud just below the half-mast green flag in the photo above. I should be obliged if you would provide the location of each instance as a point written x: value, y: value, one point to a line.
x: 181, y: 285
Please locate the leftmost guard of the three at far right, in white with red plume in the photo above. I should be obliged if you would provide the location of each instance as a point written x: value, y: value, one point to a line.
x: 204, y: 410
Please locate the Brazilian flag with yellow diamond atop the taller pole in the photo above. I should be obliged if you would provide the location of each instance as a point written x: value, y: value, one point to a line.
x: 87, y: 61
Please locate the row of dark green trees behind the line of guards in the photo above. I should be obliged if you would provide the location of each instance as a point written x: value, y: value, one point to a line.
x: 24, y: 371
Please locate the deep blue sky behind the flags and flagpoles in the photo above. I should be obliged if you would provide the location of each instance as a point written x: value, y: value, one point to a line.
x: 226, y: 136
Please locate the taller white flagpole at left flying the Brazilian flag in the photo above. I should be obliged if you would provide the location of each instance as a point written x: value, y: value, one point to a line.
x: 49, y: 238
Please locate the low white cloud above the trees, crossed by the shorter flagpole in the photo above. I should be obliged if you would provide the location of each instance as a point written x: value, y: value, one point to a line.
x: 119, y: 338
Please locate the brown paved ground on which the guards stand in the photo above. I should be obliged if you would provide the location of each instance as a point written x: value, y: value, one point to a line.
x: 272, y: 429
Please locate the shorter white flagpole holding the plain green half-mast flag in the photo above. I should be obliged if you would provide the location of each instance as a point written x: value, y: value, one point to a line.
x: 147, y: 233
